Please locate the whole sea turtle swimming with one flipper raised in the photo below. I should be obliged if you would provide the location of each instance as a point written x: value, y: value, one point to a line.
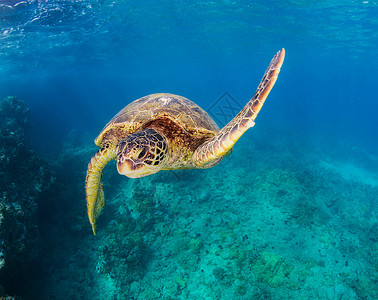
x: 168, y: 132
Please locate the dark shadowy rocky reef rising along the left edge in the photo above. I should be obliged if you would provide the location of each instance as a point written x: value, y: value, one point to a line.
x: 24, y: 180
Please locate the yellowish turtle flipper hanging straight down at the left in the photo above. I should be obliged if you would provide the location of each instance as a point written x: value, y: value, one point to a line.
x: 93, y: 184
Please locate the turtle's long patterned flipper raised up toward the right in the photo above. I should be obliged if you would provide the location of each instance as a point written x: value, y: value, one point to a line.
x: 220, y: 144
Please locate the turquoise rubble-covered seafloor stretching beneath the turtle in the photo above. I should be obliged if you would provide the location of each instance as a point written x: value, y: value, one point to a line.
x: 284, y: 217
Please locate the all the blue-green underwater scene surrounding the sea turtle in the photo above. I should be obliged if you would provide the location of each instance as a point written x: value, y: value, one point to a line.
x: 291, y: 214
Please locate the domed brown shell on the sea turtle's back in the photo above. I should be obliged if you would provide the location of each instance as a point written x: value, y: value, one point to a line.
x: 167, y: 111
